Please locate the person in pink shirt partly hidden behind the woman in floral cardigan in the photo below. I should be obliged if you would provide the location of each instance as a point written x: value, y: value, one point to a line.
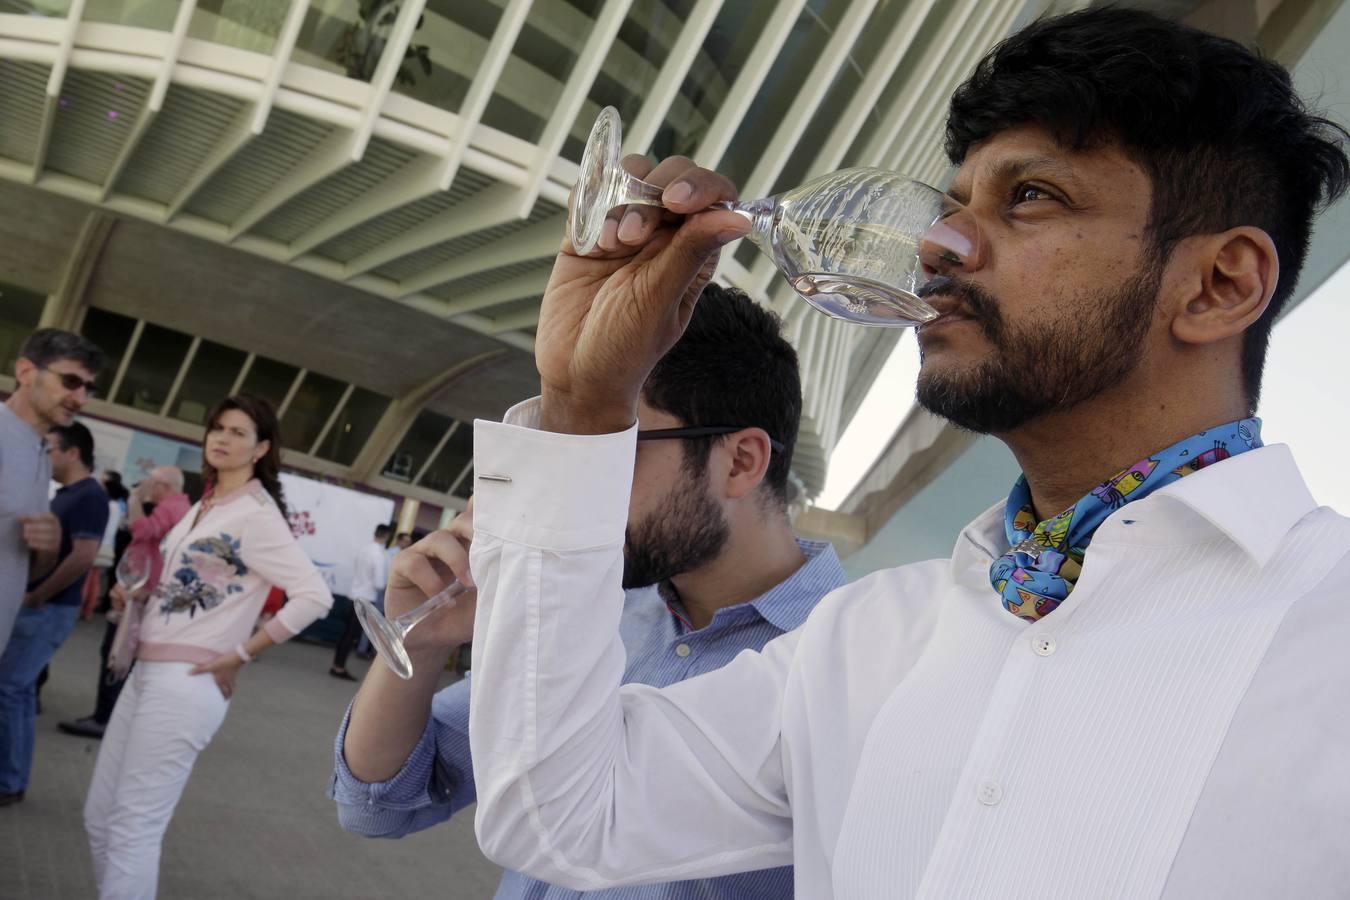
x: 163, y: 493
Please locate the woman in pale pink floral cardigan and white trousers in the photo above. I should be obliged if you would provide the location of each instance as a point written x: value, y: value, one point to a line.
x: 196, y: 635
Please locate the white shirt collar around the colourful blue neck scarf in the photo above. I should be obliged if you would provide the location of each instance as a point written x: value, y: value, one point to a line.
x: 1253, y: 500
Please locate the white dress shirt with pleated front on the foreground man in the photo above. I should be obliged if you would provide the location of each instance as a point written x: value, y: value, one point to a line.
x: 1177, y: 729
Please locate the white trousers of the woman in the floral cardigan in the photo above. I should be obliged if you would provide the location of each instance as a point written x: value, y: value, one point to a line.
x: 163, y: 721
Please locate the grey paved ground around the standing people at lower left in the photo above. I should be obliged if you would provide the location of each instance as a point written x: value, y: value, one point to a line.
x: 254, y: 821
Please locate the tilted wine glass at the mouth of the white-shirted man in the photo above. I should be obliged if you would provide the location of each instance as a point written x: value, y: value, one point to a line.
x: 861, y: 245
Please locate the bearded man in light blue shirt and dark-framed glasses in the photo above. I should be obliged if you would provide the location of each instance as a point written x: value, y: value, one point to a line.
x: 711, y: 569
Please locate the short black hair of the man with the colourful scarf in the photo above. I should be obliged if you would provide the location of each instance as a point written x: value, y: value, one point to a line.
x: 1220, y: 130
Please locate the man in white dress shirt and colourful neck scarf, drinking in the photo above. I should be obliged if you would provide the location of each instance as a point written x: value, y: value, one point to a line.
x: 1129, y: 681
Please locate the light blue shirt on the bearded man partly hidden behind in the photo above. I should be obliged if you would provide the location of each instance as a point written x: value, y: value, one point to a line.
x: 438, y: 779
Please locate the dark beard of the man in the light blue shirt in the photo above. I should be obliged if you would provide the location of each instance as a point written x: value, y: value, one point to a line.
x: 688, y: 532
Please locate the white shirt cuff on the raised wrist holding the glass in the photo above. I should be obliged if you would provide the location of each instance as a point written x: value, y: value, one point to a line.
x: 550, y: 490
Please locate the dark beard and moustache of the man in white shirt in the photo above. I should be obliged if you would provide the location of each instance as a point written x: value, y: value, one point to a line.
x: 1035, y: 372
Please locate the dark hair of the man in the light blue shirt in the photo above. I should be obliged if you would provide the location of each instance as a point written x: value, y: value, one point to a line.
x: 732, y: 366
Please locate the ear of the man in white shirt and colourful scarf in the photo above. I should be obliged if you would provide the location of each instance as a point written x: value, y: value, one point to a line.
x: 1237, y: 273
